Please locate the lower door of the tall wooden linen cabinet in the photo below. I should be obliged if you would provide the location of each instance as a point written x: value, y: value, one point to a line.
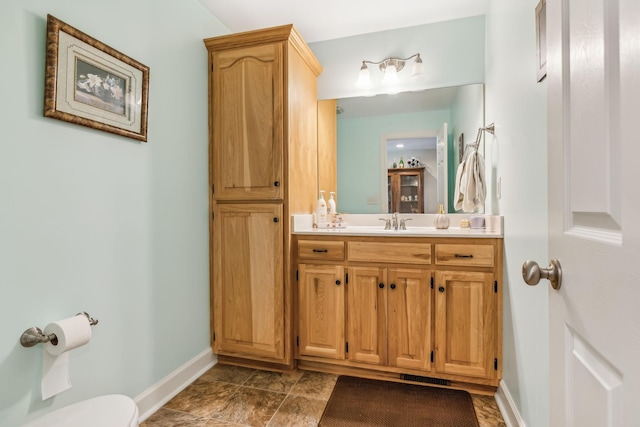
x: 248, y: 283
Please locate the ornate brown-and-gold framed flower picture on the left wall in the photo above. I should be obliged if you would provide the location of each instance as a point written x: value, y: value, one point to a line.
x: 90, y: 84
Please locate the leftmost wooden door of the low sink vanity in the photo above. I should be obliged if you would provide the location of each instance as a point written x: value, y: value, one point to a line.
x: 321, y: 311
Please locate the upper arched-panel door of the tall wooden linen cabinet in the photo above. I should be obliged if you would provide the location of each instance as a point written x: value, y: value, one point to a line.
x: 247, y: 117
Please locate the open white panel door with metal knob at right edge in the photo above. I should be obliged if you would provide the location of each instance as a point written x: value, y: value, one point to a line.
x: 594, y: 211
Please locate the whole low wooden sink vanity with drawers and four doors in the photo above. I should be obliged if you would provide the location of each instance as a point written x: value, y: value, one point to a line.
x: 409, y: 309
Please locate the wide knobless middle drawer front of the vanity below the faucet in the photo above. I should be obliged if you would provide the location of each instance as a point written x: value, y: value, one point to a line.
x: 405, y: 253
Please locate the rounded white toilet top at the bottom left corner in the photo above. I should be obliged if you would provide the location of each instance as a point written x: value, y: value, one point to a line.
x: 113, y: 410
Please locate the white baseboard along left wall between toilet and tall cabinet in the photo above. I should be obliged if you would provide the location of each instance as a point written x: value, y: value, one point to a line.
x: 160, y: 393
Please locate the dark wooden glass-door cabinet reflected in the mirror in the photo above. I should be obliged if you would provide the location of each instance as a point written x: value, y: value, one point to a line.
x: 406, y: 190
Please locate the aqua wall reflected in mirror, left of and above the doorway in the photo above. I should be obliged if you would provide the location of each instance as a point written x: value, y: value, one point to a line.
x: 360, y: 139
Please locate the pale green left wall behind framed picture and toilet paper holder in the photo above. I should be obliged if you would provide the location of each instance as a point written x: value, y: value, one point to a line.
x: 97, y: 222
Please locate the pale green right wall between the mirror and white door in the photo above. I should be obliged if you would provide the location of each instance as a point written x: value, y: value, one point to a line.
x: 517, y: 155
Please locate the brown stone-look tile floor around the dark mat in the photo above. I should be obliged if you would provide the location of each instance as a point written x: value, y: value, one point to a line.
x: 235, y: 396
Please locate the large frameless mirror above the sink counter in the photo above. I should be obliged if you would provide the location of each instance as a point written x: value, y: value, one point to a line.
x: 369, y: 129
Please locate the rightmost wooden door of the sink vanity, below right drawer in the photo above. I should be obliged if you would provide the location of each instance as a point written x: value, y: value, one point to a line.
x: 465, y: 321
